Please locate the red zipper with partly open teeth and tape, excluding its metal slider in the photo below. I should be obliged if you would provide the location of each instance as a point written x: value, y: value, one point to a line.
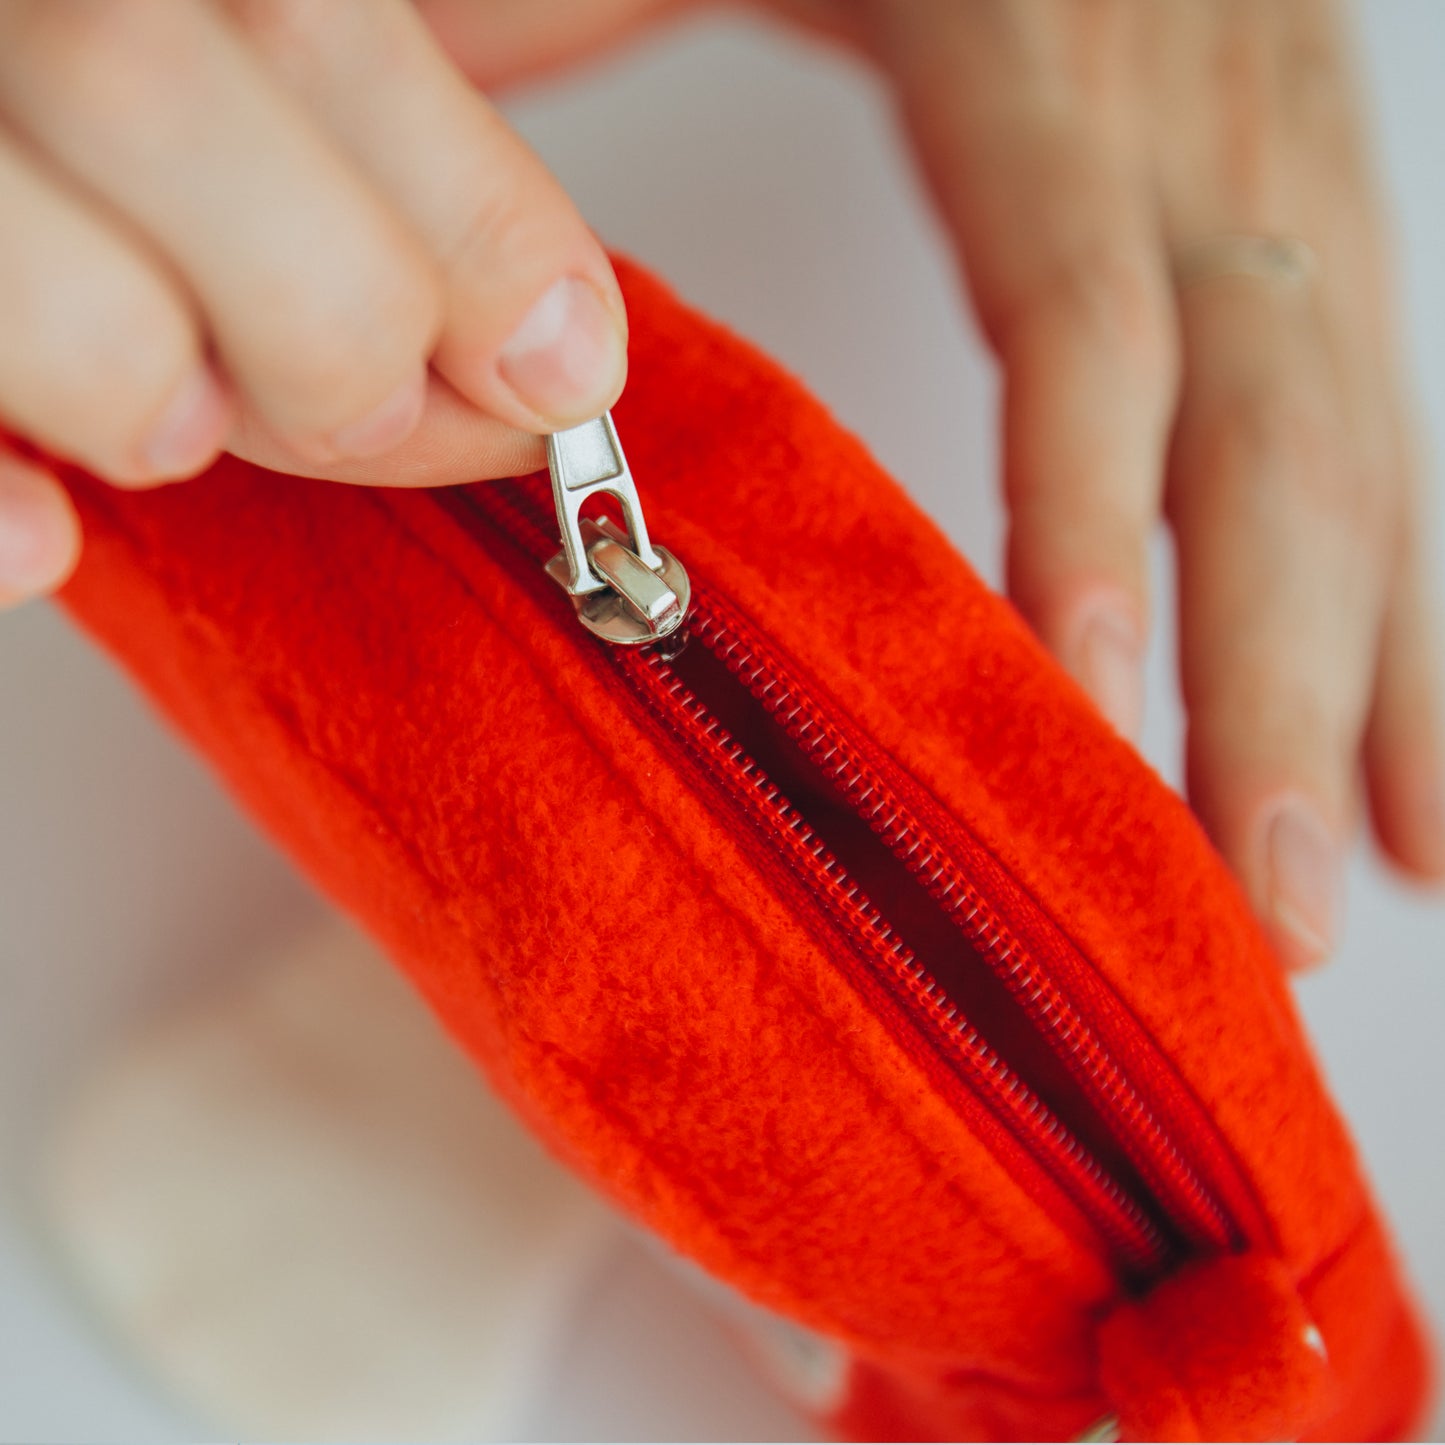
x: 970, y: 965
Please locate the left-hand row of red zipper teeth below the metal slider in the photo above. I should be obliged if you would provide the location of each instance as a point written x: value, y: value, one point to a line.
x: 1113, y: 1212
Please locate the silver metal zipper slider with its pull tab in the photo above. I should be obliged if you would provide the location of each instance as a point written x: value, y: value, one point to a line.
x: 625, y: 589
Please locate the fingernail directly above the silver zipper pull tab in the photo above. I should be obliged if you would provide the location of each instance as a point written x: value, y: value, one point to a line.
x: 566, y: 361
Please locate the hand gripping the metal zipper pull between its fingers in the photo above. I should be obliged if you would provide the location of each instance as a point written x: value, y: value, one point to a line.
x: 287, y: 229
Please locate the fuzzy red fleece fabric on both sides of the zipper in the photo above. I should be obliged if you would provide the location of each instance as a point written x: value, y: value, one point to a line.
x: 433, y: 742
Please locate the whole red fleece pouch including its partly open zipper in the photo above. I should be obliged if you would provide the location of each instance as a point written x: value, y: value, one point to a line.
x: 846, y: 949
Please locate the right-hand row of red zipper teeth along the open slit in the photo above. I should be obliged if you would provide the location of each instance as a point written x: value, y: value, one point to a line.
x: 1148, y: 1144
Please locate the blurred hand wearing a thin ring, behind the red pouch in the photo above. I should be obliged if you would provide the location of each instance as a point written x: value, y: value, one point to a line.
x: 1086, y: 158
